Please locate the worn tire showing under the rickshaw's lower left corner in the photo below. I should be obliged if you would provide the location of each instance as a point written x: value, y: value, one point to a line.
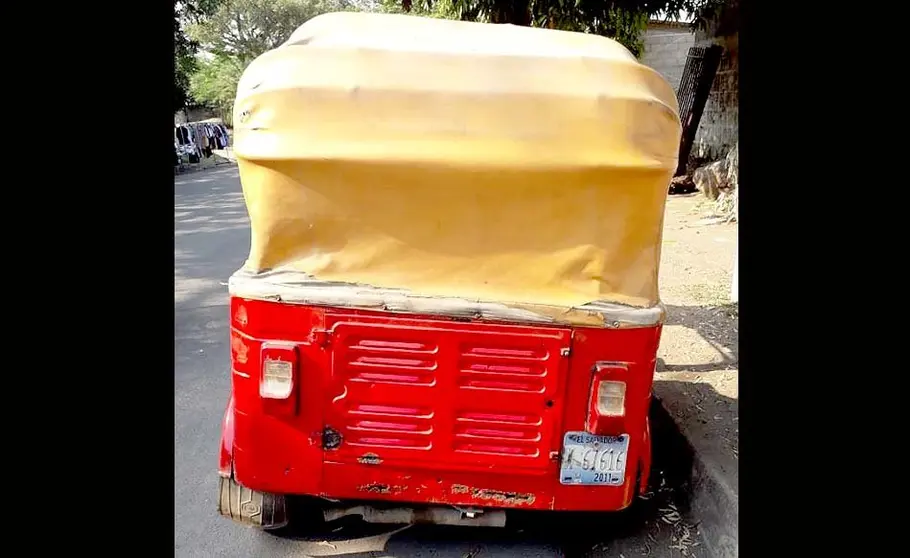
x: 262, y: 510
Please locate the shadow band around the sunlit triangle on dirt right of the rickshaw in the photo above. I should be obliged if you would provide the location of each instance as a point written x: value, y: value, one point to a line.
x: 716, y: 325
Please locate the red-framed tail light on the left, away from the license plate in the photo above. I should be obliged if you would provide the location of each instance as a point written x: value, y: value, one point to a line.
x: 279, y: 376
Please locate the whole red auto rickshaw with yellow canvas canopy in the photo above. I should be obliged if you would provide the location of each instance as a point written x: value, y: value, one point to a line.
x: 450, y: 307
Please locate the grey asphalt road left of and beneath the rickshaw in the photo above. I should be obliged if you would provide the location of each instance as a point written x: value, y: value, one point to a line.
x: 211, y: 240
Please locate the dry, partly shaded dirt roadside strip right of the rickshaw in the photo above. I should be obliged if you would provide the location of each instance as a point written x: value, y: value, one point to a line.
x: 699, y: 354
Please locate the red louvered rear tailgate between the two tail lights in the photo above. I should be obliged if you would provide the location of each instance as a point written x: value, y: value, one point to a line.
x: 428, y: 393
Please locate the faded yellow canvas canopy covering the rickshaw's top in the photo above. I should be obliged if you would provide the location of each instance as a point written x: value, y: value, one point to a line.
x: 418, y: 158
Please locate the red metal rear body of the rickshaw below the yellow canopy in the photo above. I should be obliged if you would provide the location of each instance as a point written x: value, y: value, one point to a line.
x: 428, y: 410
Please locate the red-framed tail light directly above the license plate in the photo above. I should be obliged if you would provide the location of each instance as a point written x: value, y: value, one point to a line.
x: 607, y: 402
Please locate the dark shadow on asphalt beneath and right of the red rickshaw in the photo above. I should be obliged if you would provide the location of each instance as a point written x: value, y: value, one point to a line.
x: 638, y: 530
